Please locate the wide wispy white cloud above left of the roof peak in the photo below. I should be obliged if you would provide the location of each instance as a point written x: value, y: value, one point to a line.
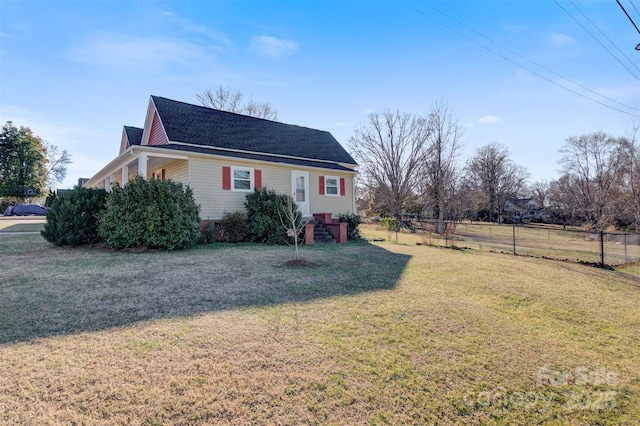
x: 142, y: 53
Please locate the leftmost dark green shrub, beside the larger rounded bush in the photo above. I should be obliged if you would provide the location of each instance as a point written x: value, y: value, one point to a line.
x: 72, y: 219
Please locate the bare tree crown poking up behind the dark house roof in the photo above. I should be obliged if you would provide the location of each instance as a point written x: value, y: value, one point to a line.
x: 224, y: 100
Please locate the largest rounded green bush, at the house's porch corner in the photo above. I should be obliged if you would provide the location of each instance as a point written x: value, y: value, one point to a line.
x: 150, y: 213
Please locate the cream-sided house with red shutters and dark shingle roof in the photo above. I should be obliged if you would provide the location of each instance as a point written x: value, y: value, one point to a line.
x: 223, y: 156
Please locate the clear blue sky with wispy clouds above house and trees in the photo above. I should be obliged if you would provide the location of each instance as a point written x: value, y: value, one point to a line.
x: 75, y: 72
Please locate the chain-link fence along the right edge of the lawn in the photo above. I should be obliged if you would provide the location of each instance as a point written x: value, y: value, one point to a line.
x: 544, y: 241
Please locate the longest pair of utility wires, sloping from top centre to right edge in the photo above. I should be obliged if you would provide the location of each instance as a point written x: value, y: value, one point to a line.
x: 635, y: 115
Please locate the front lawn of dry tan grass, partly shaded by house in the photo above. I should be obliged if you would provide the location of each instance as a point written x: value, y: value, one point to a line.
x: 379, y: 333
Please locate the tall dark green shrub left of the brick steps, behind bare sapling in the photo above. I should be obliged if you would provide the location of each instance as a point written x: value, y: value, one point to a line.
x: 263, y: 217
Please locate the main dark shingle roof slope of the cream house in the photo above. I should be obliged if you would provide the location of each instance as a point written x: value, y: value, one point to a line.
x: 209, y: 127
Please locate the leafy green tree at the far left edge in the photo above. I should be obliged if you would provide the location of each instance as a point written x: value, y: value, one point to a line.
x: 23, y: 161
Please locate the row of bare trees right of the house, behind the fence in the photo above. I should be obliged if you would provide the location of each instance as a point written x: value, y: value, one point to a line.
x: 411, y: 164
